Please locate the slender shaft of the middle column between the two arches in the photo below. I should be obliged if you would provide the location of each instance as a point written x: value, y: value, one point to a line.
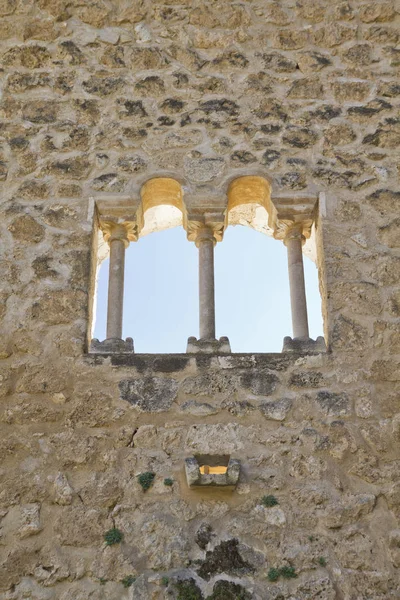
x: 205, y: 243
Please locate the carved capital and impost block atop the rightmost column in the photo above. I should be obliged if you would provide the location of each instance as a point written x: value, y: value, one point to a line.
x: 289, y: 213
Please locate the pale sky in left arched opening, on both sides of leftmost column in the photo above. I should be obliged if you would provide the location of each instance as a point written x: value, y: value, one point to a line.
x: 161, y: 293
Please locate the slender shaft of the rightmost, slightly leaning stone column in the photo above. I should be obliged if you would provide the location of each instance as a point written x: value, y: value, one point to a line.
x: 298, y: 300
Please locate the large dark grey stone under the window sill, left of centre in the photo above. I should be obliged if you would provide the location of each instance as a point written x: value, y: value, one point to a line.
x: 151, y: 394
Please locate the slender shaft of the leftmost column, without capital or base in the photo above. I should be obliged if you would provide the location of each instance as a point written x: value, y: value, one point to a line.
x: 116, y: 288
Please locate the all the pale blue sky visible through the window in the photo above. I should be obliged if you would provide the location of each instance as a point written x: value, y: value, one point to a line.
x: 252, y: 292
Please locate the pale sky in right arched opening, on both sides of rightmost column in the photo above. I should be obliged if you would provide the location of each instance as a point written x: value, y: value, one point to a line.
x: 252, y: 291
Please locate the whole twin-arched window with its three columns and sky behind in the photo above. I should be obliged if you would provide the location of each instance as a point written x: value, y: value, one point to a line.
x: 254, y: 279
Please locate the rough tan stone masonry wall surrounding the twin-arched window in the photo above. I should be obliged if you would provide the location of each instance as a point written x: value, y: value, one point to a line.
x: 98, y: 96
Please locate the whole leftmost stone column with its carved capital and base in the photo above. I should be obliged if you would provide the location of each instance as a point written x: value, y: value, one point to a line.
x: 118, y: 236
